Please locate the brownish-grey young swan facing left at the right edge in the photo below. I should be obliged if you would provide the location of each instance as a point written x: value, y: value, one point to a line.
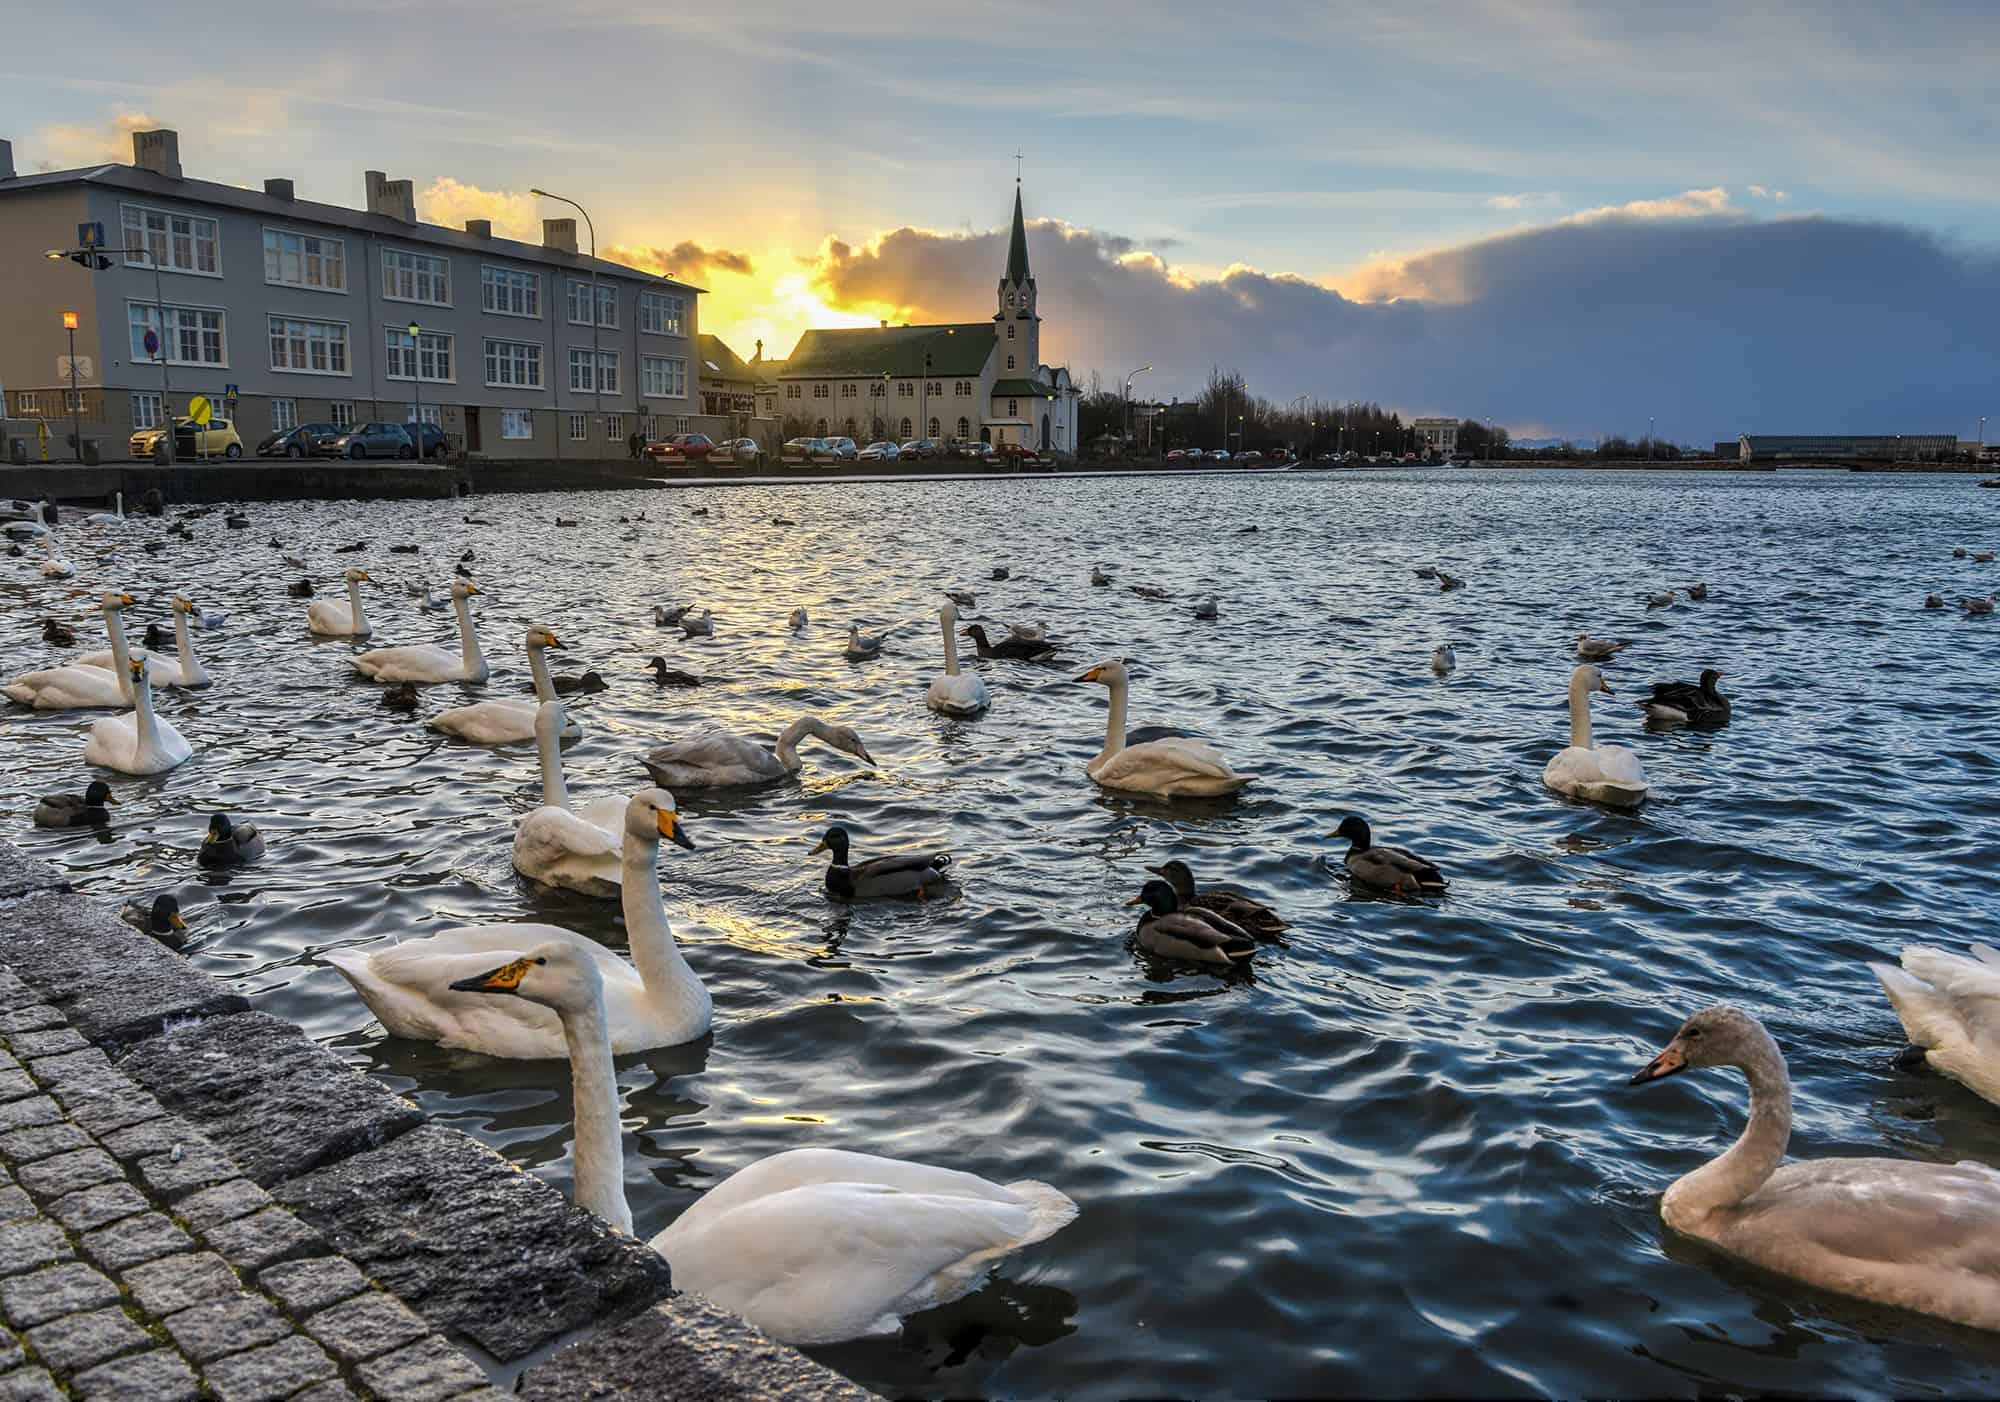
x: 1905, y: 1233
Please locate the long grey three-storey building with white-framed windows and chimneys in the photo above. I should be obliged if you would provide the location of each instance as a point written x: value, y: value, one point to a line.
x: 289, y: 313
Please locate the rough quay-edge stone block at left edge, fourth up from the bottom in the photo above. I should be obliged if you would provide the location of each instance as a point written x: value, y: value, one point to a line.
x: 115, y: 983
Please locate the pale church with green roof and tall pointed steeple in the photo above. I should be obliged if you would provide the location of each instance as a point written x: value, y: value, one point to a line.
x: 955, y: 383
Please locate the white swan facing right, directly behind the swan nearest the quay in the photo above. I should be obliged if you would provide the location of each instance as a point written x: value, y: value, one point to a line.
x: 655, y: 1001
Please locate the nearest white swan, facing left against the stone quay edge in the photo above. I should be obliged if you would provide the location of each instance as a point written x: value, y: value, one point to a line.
x: 815, y: 1245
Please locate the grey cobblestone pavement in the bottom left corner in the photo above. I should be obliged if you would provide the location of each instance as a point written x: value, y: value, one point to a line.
x: 137, y: 1261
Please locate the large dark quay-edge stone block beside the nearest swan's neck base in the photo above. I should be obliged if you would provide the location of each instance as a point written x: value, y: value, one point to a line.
x: 475, y: 1245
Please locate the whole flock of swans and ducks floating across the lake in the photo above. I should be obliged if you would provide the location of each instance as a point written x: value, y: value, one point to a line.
x: 823, y: 1245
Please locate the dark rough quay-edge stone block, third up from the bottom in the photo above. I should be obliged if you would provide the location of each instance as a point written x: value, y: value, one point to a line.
x: 271, y: 1097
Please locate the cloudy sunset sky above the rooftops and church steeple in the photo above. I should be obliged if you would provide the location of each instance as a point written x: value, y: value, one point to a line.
x: 1571, y: 219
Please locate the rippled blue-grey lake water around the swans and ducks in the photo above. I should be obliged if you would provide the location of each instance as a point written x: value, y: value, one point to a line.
x: 1397, y: 1157
